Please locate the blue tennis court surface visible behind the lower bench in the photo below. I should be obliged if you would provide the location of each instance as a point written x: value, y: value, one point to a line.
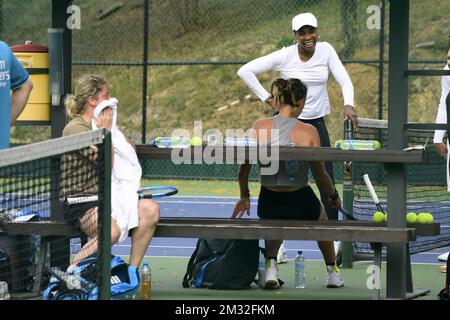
x: 218, y: 207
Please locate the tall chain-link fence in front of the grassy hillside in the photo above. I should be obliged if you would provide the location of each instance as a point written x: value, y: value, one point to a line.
x: 196, y: 46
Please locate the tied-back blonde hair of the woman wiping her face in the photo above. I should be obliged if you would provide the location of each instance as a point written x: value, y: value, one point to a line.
x: 88, y: 85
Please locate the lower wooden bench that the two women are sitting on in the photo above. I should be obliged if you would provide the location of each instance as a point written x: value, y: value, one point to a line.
x: 361, y: 231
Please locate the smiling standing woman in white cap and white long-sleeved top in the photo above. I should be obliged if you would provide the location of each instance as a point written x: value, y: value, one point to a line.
x: 310, y: 61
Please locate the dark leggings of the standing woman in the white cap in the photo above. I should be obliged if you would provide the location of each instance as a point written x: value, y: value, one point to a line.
x: 319, y: 124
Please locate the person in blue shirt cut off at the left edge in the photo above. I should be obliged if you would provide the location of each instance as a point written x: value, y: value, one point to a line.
x: 13, y: 77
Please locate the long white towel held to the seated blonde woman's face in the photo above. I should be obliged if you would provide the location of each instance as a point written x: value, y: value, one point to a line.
x: 125, y: 178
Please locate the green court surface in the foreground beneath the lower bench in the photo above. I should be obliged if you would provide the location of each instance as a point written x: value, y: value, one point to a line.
x: 168, y: 272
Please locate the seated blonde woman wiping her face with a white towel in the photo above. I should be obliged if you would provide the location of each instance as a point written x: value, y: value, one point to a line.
x: 89, y: 108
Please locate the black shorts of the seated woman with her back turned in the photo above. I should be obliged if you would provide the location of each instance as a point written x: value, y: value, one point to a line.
x: 302, y: 204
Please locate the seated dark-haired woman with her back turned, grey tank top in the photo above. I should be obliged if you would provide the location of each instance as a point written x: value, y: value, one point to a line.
x: 287, y: 195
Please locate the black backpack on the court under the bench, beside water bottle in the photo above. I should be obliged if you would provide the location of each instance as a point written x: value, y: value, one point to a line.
x: 223, y: 264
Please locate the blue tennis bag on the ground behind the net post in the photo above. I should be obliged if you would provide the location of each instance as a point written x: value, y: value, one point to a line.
x: 81, y: 282
